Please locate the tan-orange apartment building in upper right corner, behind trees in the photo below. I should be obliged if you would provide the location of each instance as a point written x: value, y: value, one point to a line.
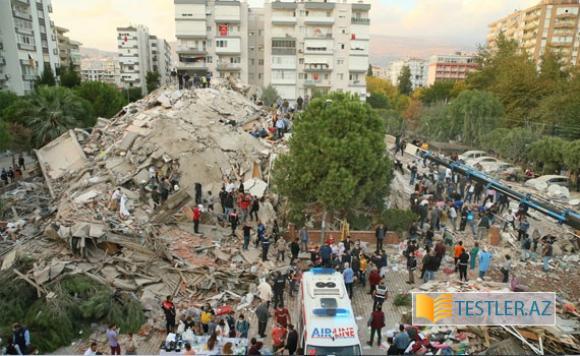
x: 552, y: 24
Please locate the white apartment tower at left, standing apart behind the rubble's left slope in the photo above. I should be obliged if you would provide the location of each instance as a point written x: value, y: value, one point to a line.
x: 139, y: 53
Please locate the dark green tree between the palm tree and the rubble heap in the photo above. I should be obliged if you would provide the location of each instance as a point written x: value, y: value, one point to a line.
x: 106, y: 99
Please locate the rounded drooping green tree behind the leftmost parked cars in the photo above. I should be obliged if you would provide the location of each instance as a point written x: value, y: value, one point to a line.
x: 474, y: 113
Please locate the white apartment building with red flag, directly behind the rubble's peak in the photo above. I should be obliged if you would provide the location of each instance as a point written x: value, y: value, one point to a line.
x: 212, y: 38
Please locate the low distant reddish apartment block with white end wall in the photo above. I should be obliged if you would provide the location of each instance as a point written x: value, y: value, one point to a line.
x: 450, y: 67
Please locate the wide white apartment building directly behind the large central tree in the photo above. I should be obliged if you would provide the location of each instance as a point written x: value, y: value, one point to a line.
x: 316, y: 46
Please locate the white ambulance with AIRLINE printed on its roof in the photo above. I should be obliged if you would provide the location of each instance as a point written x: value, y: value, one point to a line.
x: 326, y: 324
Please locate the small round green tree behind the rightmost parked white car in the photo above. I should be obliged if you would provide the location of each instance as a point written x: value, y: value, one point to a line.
x: 548, y: 154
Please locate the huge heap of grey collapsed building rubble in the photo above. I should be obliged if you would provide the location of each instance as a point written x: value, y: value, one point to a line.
x: 145, y: 246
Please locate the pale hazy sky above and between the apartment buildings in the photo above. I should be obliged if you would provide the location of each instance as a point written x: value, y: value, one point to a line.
x: 94, y: 22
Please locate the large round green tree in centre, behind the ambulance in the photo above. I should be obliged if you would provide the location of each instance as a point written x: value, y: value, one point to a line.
x: 337, y: 157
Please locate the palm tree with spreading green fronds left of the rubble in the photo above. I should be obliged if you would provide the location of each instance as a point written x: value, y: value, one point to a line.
x: 52, y: 111
